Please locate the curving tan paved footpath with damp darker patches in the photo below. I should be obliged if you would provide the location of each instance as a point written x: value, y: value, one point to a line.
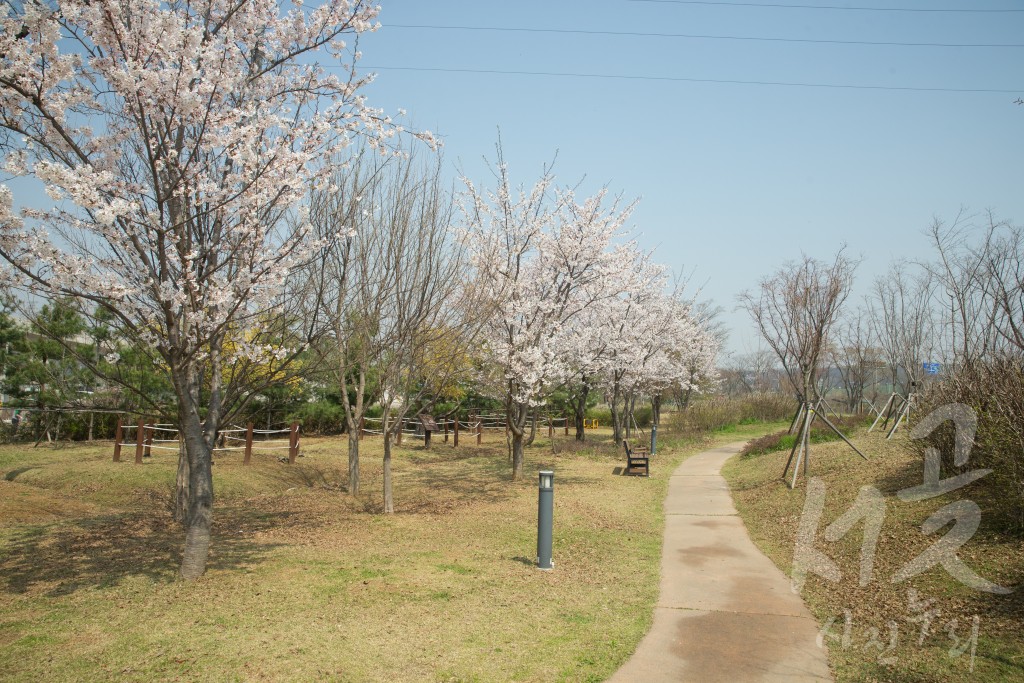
x: 726, y: 612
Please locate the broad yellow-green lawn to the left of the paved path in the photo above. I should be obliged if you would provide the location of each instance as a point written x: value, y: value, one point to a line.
x: 307, y: 583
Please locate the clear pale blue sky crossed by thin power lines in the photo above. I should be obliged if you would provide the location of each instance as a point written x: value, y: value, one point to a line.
x: 735, y: 180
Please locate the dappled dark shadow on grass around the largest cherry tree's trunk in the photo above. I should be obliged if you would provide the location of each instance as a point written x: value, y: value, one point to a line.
x: 102, y: 551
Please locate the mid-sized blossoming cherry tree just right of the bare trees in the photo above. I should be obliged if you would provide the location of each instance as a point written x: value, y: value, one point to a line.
x: 541, y: 260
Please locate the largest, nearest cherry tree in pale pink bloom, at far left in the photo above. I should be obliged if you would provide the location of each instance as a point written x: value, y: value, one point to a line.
x: 175, y: 139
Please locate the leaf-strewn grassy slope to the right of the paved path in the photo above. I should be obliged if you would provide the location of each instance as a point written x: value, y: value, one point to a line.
x: 927, y: 628
